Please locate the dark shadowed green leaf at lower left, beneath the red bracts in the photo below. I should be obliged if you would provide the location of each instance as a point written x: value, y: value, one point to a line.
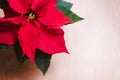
x: 18, y: 52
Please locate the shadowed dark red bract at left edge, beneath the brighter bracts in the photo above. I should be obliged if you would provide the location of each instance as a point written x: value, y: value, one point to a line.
x: 8, y: 32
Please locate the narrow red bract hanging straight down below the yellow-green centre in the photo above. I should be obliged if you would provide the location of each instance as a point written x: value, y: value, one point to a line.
x: 28, y: 36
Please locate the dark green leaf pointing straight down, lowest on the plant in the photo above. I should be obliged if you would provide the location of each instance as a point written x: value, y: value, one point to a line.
x: 42, y: 60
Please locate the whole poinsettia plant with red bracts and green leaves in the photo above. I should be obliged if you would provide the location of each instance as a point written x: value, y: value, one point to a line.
x: 33, y: 29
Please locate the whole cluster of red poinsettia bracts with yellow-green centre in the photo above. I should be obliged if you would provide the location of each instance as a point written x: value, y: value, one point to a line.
x: 35, y: 24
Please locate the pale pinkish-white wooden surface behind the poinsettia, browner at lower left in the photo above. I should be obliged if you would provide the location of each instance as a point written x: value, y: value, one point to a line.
x: 94, y: 45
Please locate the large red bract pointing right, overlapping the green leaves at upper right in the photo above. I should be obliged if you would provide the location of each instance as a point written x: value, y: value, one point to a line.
x: 53, y: 16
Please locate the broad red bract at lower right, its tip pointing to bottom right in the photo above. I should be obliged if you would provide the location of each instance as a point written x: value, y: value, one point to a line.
x: 51, y: 41
